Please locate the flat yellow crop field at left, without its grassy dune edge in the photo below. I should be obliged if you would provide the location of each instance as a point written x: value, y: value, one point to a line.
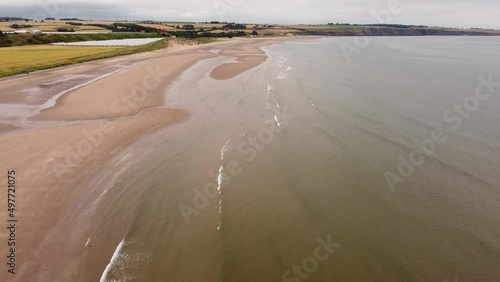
x: 14, y: 59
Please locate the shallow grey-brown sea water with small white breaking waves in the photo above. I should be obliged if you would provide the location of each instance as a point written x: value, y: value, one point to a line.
x: 296, y: 152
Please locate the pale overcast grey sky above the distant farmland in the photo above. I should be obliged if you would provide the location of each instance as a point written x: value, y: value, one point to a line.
x: 446, y: 13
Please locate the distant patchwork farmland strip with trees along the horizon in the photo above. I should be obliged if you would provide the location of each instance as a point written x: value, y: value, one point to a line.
x: 191, y: 29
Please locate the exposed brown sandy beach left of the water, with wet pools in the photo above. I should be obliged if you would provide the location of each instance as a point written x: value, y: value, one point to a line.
x: 98, y: 110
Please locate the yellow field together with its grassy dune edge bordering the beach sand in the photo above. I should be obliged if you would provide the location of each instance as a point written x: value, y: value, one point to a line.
x: 24, y: 59
